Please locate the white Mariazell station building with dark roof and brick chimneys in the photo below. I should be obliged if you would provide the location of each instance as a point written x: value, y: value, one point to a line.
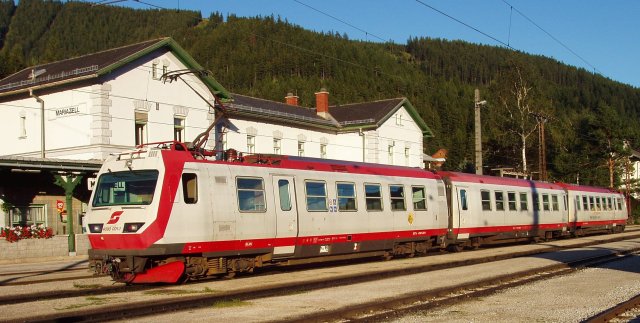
x: 82, y: 109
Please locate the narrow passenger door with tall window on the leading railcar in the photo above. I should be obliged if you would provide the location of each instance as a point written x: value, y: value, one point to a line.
x: 286, y: 215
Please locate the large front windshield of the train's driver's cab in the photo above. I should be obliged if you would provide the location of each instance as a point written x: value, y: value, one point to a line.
x: 126, y: 188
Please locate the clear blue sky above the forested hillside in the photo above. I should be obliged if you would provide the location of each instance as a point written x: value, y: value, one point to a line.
x: 604, y: 34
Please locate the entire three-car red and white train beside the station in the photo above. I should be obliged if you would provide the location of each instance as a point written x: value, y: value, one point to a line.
x: 166, y: 213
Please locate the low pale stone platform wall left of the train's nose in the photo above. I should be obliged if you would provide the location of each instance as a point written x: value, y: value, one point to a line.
x: 34, y: 249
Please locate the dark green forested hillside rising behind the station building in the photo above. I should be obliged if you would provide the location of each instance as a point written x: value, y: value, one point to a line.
x: 588, y: 116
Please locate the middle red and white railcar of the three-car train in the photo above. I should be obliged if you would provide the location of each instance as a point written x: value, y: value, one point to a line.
x: 485, y: 209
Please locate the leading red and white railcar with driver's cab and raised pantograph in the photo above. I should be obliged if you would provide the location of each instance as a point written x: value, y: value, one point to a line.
x: 163, y: 213
